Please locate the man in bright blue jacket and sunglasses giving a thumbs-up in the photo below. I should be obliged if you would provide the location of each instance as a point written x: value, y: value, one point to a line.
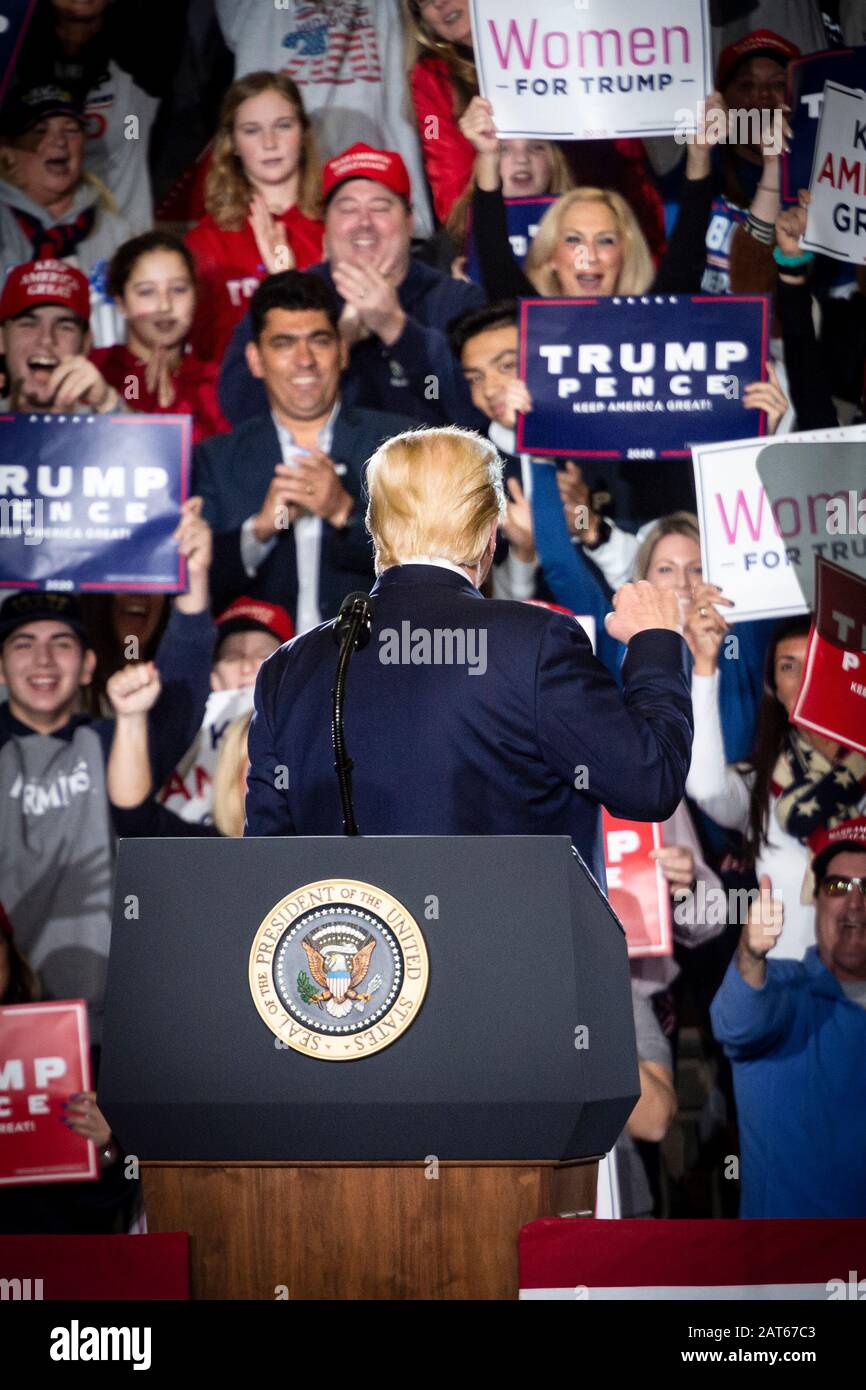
x: 796, y: 1032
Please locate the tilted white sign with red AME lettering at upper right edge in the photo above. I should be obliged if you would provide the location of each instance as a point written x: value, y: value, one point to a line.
x: 836, y: 223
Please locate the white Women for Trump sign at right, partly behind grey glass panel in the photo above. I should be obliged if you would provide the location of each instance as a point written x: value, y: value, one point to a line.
x: 761, y: 553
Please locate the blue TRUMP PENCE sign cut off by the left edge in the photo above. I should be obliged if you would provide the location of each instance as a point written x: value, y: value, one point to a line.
x: 91, y: 502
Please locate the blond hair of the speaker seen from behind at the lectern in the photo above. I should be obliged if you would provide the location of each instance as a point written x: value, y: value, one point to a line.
x: 434, y: 493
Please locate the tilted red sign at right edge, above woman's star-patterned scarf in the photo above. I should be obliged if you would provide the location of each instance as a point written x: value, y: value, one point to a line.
x: 832, y: 698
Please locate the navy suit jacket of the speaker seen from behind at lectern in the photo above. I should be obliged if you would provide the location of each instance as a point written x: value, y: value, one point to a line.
x: 440, y: 751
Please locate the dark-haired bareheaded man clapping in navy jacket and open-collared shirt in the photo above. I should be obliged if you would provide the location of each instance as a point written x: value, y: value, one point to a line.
x: 283, y: 493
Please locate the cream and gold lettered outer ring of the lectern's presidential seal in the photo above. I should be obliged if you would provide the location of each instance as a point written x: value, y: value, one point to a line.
x: 288, y: 1028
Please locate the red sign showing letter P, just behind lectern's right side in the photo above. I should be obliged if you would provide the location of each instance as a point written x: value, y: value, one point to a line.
x: 637, y: 889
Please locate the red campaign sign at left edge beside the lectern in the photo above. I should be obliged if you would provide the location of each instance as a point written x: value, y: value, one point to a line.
x: 45, y: 1057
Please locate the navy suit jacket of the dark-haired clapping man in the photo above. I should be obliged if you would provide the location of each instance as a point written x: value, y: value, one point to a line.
x: 233, y: 475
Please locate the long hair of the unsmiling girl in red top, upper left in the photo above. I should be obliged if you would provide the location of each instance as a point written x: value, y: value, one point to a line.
x: 227, y: 188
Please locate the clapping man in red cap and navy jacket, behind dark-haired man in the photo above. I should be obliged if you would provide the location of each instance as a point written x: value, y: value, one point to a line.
x: 395, y: 311
